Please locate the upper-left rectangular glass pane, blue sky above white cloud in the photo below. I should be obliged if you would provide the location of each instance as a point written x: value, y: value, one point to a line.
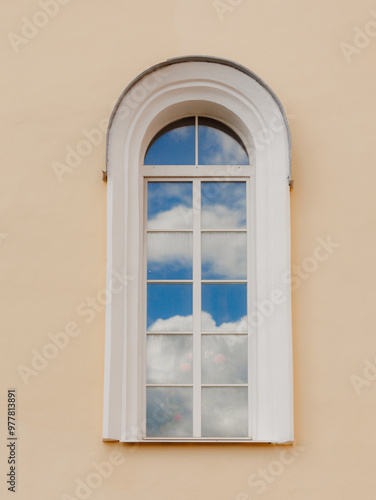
x: 169, y: 205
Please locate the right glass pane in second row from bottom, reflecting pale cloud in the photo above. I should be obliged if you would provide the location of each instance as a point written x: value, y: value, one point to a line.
x: 224, y: 359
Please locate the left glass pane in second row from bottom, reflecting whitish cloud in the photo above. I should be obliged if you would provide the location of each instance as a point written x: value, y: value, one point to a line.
x: 169, y: 359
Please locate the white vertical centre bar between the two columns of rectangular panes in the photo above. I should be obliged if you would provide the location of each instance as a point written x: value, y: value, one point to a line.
x: 196, y: 308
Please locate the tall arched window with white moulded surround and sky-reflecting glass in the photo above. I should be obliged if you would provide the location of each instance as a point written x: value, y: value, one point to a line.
x: 198, y: 341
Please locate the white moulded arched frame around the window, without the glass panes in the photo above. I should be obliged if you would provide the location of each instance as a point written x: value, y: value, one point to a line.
x: 228, y: 93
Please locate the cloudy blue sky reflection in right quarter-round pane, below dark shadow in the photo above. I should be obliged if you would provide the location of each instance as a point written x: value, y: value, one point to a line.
x: 222, y: 149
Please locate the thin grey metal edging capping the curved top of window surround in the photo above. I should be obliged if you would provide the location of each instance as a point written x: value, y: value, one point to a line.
x: 200, y: 59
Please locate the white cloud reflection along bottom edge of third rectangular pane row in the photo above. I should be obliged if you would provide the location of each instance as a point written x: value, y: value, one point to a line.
x: 184, y: 324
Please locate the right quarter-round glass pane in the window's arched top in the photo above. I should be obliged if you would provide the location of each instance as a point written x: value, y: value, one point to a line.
x: 219, y: 145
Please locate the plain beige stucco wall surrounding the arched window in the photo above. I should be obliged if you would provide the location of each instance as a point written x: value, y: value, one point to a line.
x: 64, y: 79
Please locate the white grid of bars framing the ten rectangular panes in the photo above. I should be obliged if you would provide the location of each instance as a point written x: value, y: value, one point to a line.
x: 200, y: 390
